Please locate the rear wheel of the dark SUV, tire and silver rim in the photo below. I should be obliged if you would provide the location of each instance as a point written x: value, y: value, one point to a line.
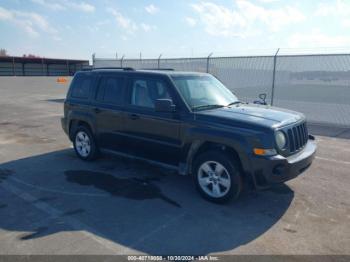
x: 84, y: 144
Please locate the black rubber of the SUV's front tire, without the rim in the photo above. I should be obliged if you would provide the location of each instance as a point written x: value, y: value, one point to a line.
x: 232, y: 168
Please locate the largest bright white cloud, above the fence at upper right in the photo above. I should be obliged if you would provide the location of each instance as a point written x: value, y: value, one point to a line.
x: 244, y: 18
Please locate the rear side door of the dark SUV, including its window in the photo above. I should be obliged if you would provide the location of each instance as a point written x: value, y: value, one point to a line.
x: 108, y: 109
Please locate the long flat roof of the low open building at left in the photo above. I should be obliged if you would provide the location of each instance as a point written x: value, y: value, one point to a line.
x: 39, y: 60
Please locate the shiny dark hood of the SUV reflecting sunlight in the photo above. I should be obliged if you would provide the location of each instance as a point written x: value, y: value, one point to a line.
x: 256, y: 114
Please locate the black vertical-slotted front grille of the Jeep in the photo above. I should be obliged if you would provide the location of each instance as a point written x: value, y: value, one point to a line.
x: 297, y: 136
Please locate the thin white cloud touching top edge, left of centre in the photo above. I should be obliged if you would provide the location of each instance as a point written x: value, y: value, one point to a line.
x: 66, y: 5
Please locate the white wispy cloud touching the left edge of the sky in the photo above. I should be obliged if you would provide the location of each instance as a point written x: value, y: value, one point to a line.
x: 29, y: 22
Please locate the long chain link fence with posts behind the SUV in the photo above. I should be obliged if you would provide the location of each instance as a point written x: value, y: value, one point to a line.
x: 316, y: 85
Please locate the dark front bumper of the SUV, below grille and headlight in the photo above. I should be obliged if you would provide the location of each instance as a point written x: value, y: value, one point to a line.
x: 278, y: 169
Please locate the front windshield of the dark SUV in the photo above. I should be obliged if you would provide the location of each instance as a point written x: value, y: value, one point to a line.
x: 204, y: 92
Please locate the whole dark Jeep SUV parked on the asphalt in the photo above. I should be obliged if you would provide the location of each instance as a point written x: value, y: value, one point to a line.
x: 189, y: 122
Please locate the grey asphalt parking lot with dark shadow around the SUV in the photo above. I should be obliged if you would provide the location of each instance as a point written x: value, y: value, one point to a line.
x: 53, y: 203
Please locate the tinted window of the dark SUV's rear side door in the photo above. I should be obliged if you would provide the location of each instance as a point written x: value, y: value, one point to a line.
x: 111, y: 90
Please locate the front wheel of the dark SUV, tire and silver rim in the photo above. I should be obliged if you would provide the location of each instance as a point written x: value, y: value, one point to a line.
x: 217, y: 177
